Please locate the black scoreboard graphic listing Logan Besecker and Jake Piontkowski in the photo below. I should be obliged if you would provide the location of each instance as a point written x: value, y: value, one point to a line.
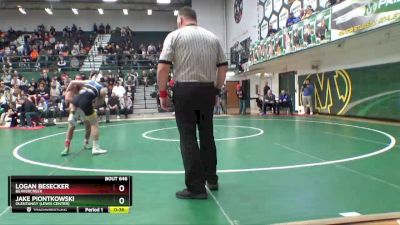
x: 73, y: 194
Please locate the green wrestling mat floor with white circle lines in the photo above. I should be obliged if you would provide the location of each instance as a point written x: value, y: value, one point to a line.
x: 271, y: 169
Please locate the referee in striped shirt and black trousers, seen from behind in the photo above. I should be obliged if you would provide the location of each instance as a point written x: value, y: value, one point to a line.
x: 200, y: 69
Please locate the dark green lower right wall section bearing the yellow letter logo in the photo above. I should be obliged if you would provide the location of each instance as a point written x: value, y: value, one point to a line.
x: 371, y: 92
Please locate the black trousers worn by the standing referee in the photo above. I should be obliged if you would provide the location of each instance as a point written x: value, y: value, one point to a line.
x: 194, y: 106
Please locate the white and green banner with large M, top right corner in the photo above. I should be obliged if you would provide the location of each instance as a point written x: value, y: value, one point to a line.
x: 355, y: 16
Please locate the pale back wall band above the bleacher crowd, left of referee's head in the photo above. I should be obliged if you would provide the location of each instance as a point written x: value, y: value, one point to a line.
x: 137, y: 20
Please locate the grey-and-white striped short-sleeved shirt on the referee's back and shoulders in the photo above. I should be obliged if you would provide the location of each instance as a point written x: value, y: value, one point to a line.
x: 195, y: 53
